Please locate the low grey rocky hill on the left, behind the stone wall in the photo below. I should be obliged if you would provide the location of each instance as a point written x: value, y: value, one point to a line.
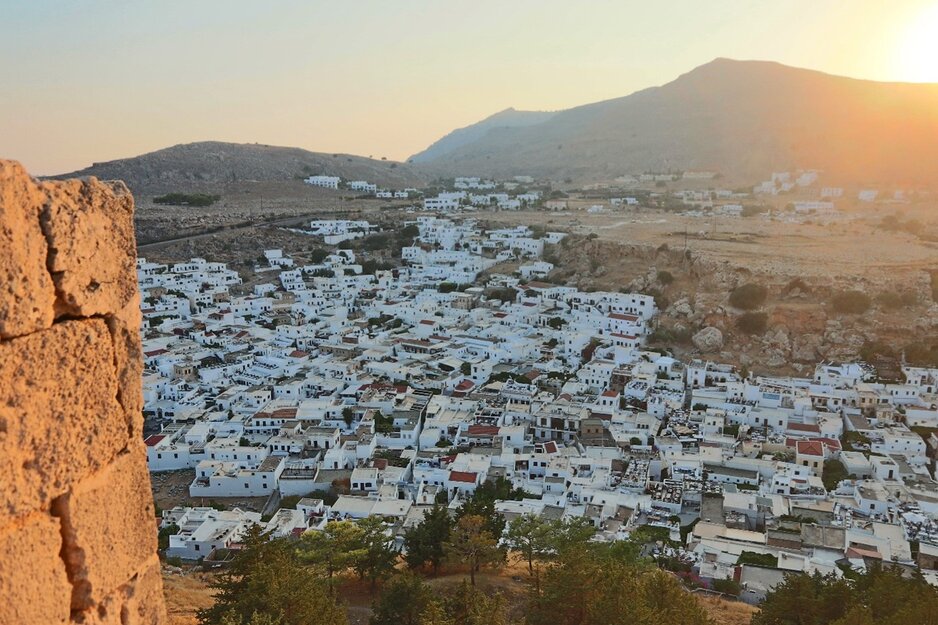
x: 212, y: 164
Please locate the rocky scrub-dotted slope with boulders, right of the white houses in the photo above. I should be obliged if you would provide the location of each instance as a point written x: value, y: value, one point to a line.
x: 794, y: 326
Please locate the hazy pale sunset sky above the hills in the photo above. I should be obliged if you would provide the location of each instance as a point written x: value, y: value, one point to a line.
x: 94, y: 80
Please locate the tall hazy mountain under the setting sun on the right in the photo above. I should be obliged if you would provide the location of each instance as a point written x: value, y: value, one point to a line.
x: 744, y: 119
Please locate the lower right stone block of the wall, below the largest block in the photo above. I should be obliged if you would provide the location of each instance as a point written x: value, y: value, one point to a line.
x: 110, y: 528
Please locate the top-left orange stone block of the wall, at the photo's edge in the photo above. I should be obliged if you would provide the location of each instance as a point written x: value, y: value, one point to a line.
x: 26, y: 290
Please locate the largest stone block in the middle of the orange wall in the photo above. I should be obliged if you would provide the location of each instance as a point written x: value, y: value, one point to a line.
x: 60, y: 419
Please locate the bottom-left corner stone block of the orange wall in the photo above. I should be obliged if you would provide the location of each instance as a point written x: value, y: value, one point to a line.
x: 34, y: 587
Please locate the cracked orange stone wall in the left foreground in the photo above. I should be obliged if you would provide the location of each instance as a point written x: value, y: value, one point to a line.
x: 77, y: 523
